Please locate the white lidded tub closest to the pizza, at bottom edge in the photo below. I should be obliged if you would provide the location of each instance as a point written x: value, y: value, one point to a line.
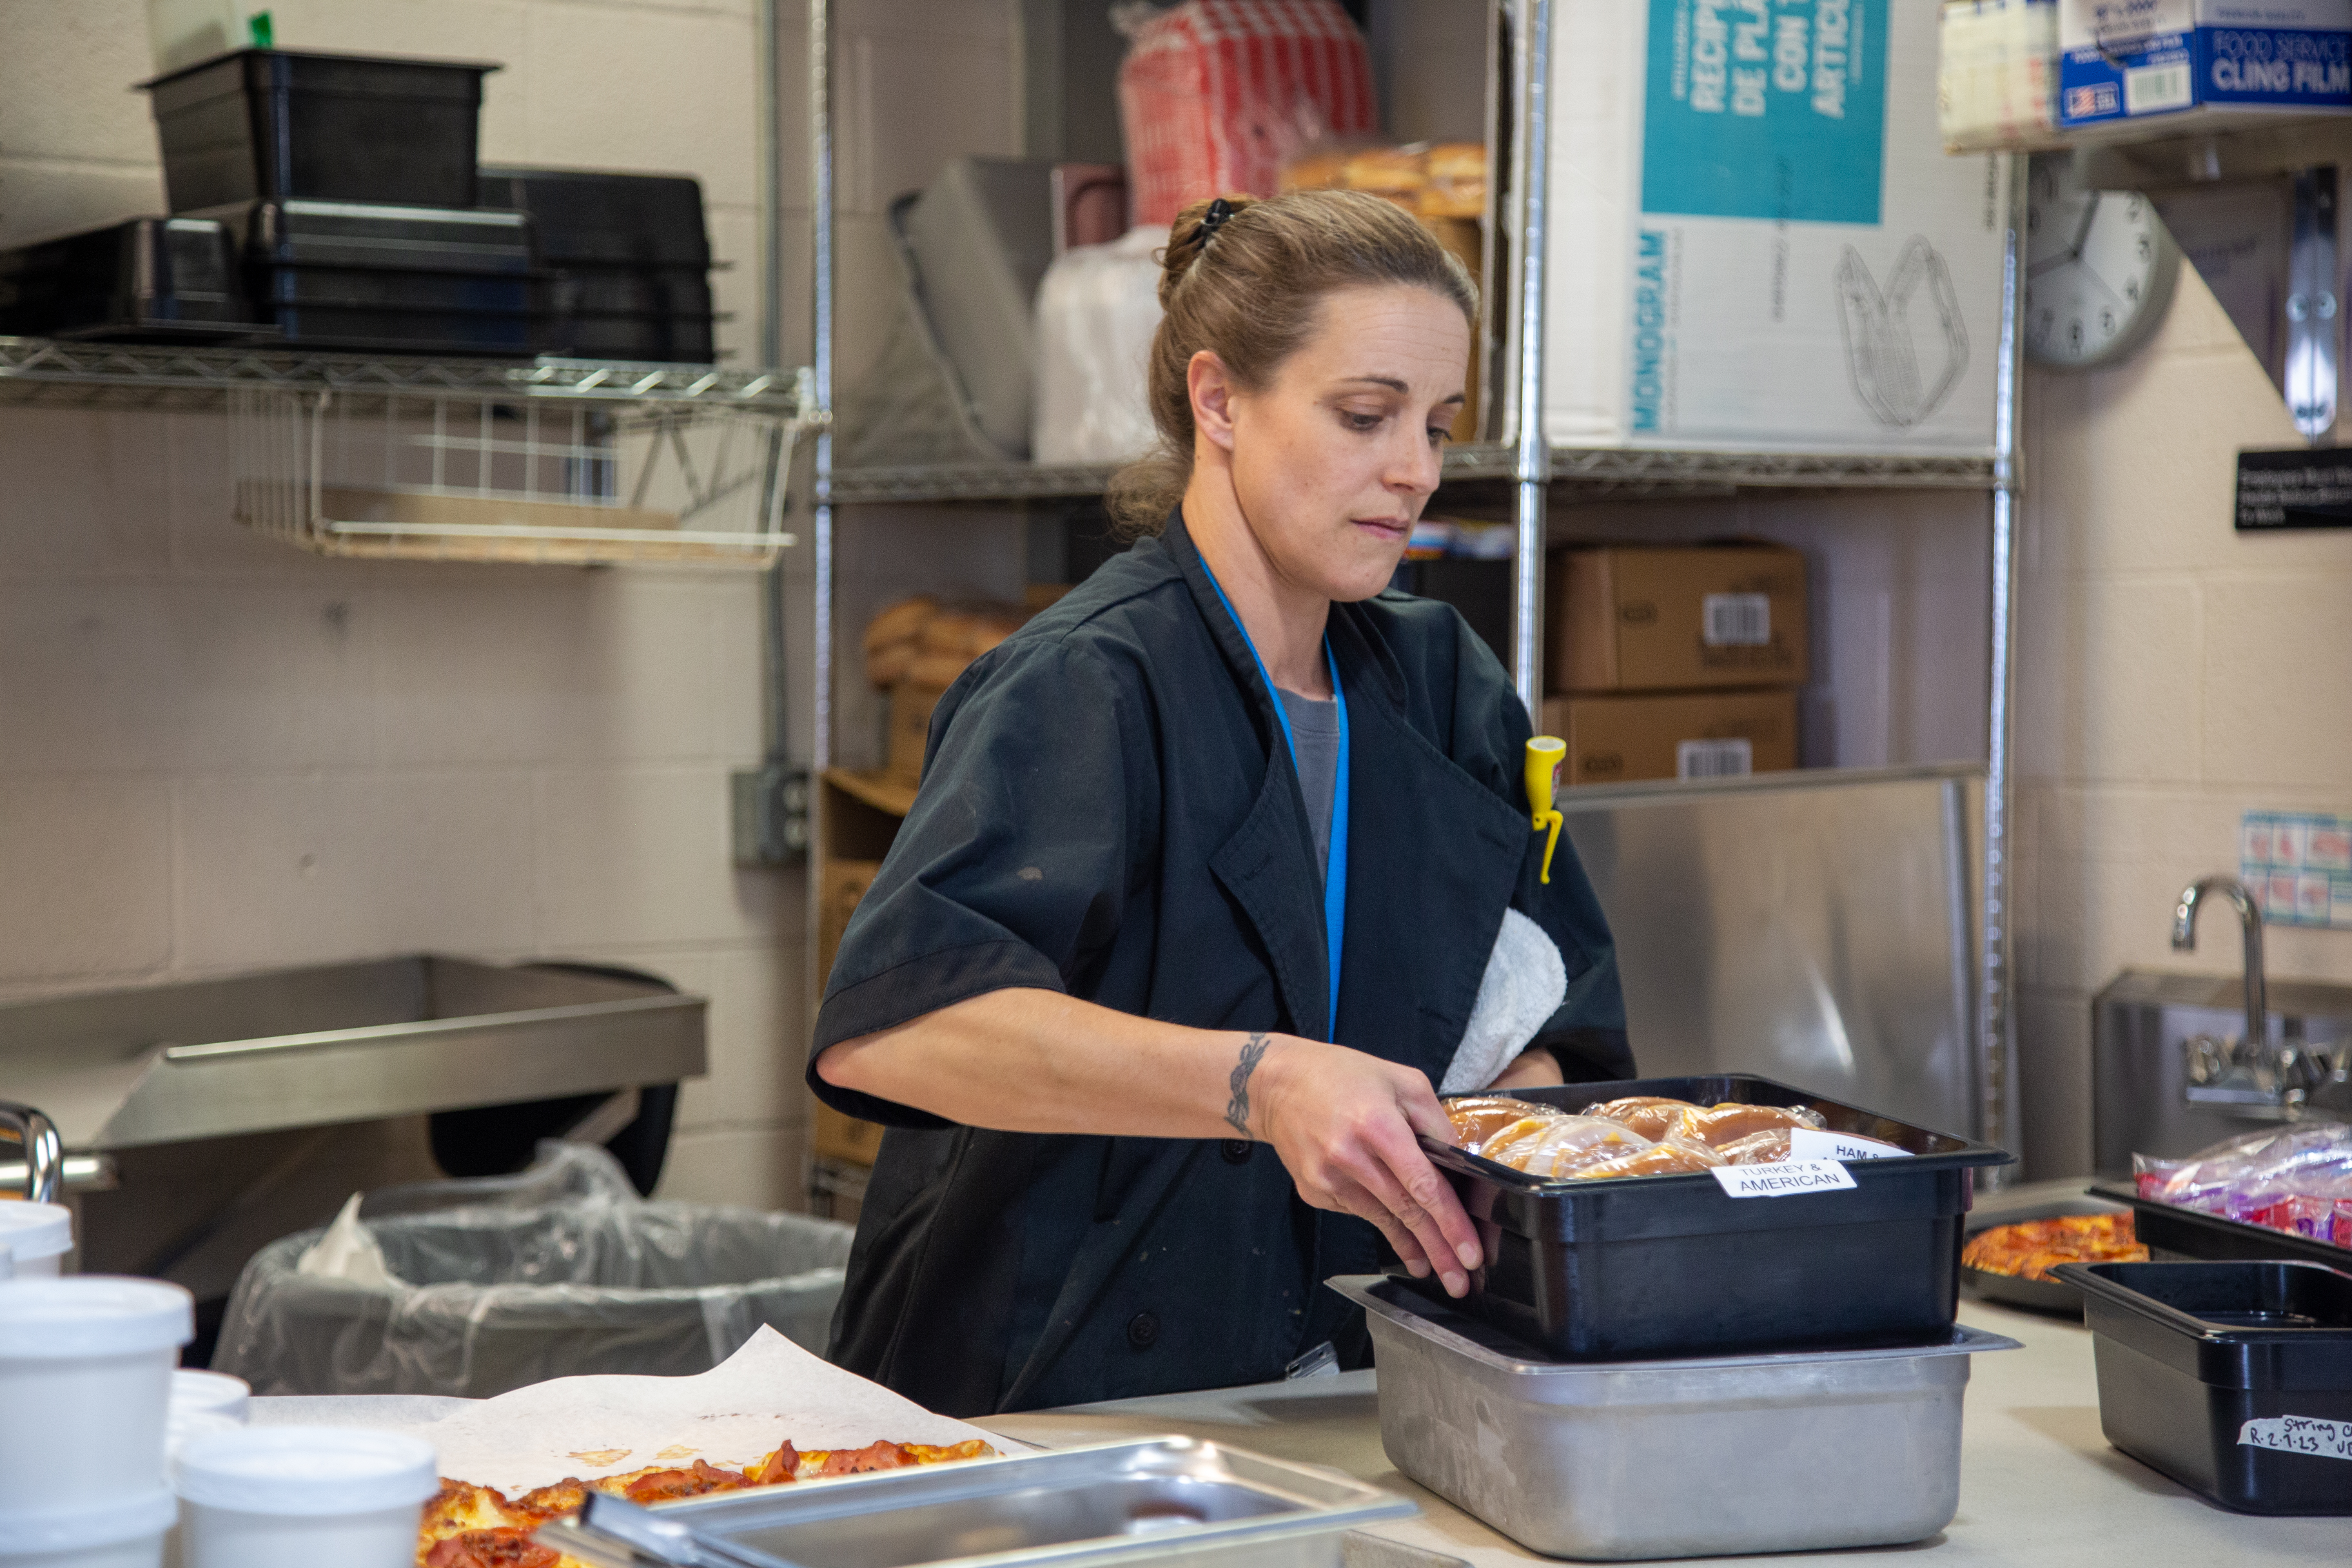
x: 302, y: 1496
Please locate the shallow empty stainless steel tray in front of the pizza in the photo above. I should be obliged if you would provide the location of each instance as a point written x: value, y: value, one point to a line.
x: 1156, y: 1501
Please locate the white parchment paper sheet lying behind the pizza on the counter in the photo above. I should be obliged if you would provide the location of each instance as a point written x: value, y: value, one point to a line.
x: 740, y: 1412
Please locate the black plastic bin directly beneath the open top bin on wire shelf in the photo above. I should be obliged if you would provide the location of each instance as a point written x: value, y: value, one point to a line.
x: 394, y: 279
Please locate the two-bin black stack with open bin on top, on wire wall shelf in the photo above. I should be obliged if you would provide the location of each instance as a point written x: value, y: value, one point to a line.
x: 352, y: 187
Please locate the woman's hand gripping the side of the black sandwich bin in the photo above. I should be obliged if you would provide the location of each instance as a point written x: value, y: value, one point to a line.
x: 1344, y: 1127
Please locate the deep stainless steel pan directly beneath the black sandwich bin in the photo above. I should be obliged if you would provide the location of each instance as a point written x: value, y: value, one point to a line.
x: 1671, y: 1459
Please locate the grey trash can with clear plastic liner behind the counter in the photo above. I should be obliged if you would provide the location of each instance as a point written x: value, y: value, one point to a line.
x: 519, y: 1280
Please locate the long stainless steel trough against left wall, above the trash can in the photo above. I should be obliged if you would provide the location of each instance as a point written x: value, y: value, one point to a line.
x: 338, y: 1043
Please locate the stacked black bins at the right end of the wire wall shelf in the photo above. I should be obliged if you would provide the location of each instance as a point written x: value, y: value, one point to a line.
x: 629, y: 255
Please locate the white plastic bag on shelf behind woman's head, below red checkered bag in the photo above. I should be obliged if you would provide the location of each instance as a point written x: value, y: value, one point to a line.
x: 1097, y: 314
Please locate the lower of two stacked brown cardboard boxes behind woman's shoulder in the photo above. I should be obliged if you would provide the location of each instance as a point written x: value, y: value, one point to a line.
x: 1690, y: 735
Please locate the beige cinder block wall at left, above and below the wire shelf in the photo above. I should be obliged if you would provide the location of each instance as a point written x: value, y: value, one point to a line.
x: 220, y: 753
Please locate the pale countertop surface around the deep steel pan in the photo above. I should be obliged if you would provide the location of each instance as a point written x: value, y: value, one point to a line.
x: 2038, y: 1482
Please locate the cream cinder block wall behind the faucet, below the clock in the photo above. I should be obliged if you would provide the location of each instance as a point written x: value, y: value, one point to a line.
x: 2172, y: 676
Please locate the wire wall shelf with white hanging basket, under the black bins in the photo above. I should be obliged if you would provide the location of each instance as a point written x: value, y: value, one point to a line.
x: 547, y: 462
